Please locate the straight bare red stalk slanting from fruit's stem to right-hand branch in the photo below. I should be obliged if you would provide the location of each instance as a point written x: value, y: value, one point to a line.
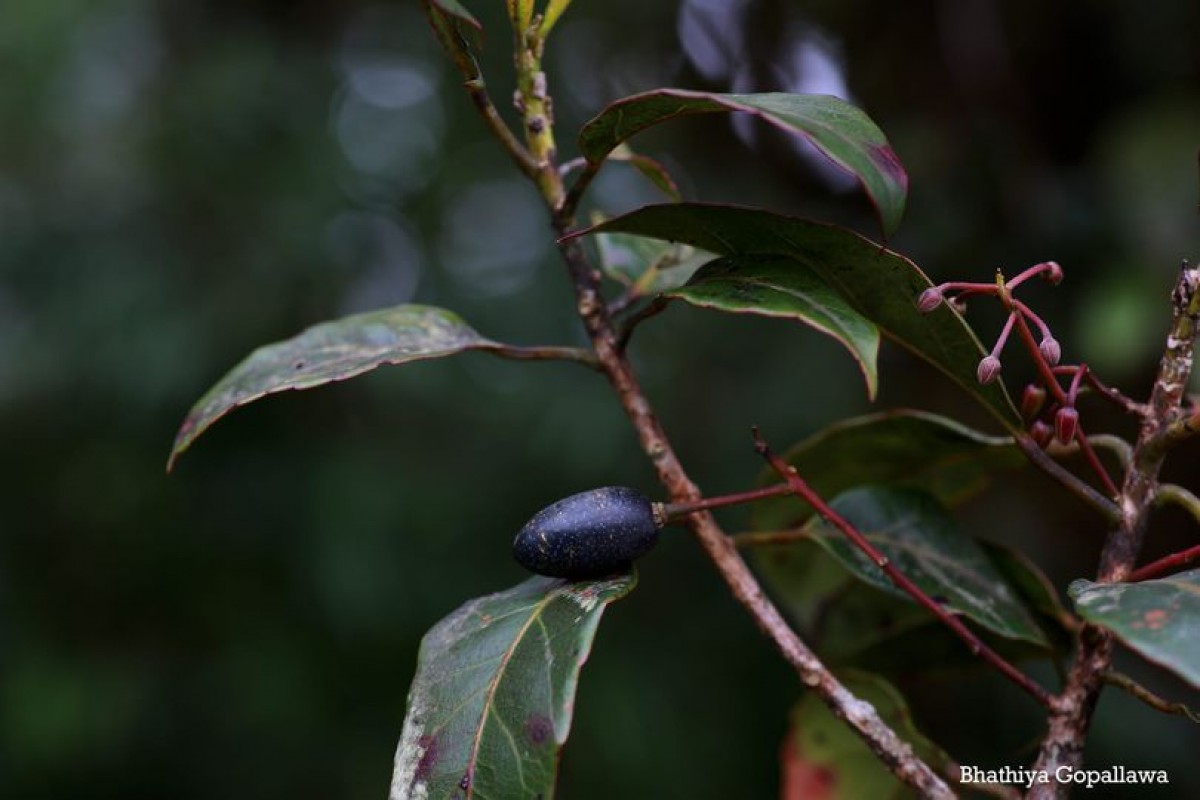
x: 901, y: 580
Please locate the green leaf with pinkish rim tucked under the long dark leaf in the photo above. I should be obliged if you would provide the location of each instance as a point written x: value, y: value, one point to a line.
x: 778, y: 286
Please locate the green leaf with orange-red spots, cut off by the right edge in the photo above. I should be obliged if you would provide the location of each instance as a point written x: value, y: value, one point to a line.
x: 1159, y: 619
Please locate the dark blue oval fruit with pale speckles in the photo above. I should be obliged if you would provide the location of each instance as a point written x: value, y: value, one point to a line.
x: 589, y: 536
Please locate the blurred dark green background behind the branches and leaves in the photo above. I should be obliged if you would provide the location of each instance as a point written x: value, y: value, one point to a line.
x: 182, y: 182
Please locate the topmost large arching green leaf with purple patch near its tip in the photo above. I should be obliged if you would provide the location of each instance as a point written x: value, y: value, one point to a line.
x: 844, y: 134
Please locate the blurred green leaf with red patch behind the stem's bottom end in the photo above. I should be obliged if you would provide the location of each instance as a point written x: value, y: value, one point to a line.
x: 824, y: 759
